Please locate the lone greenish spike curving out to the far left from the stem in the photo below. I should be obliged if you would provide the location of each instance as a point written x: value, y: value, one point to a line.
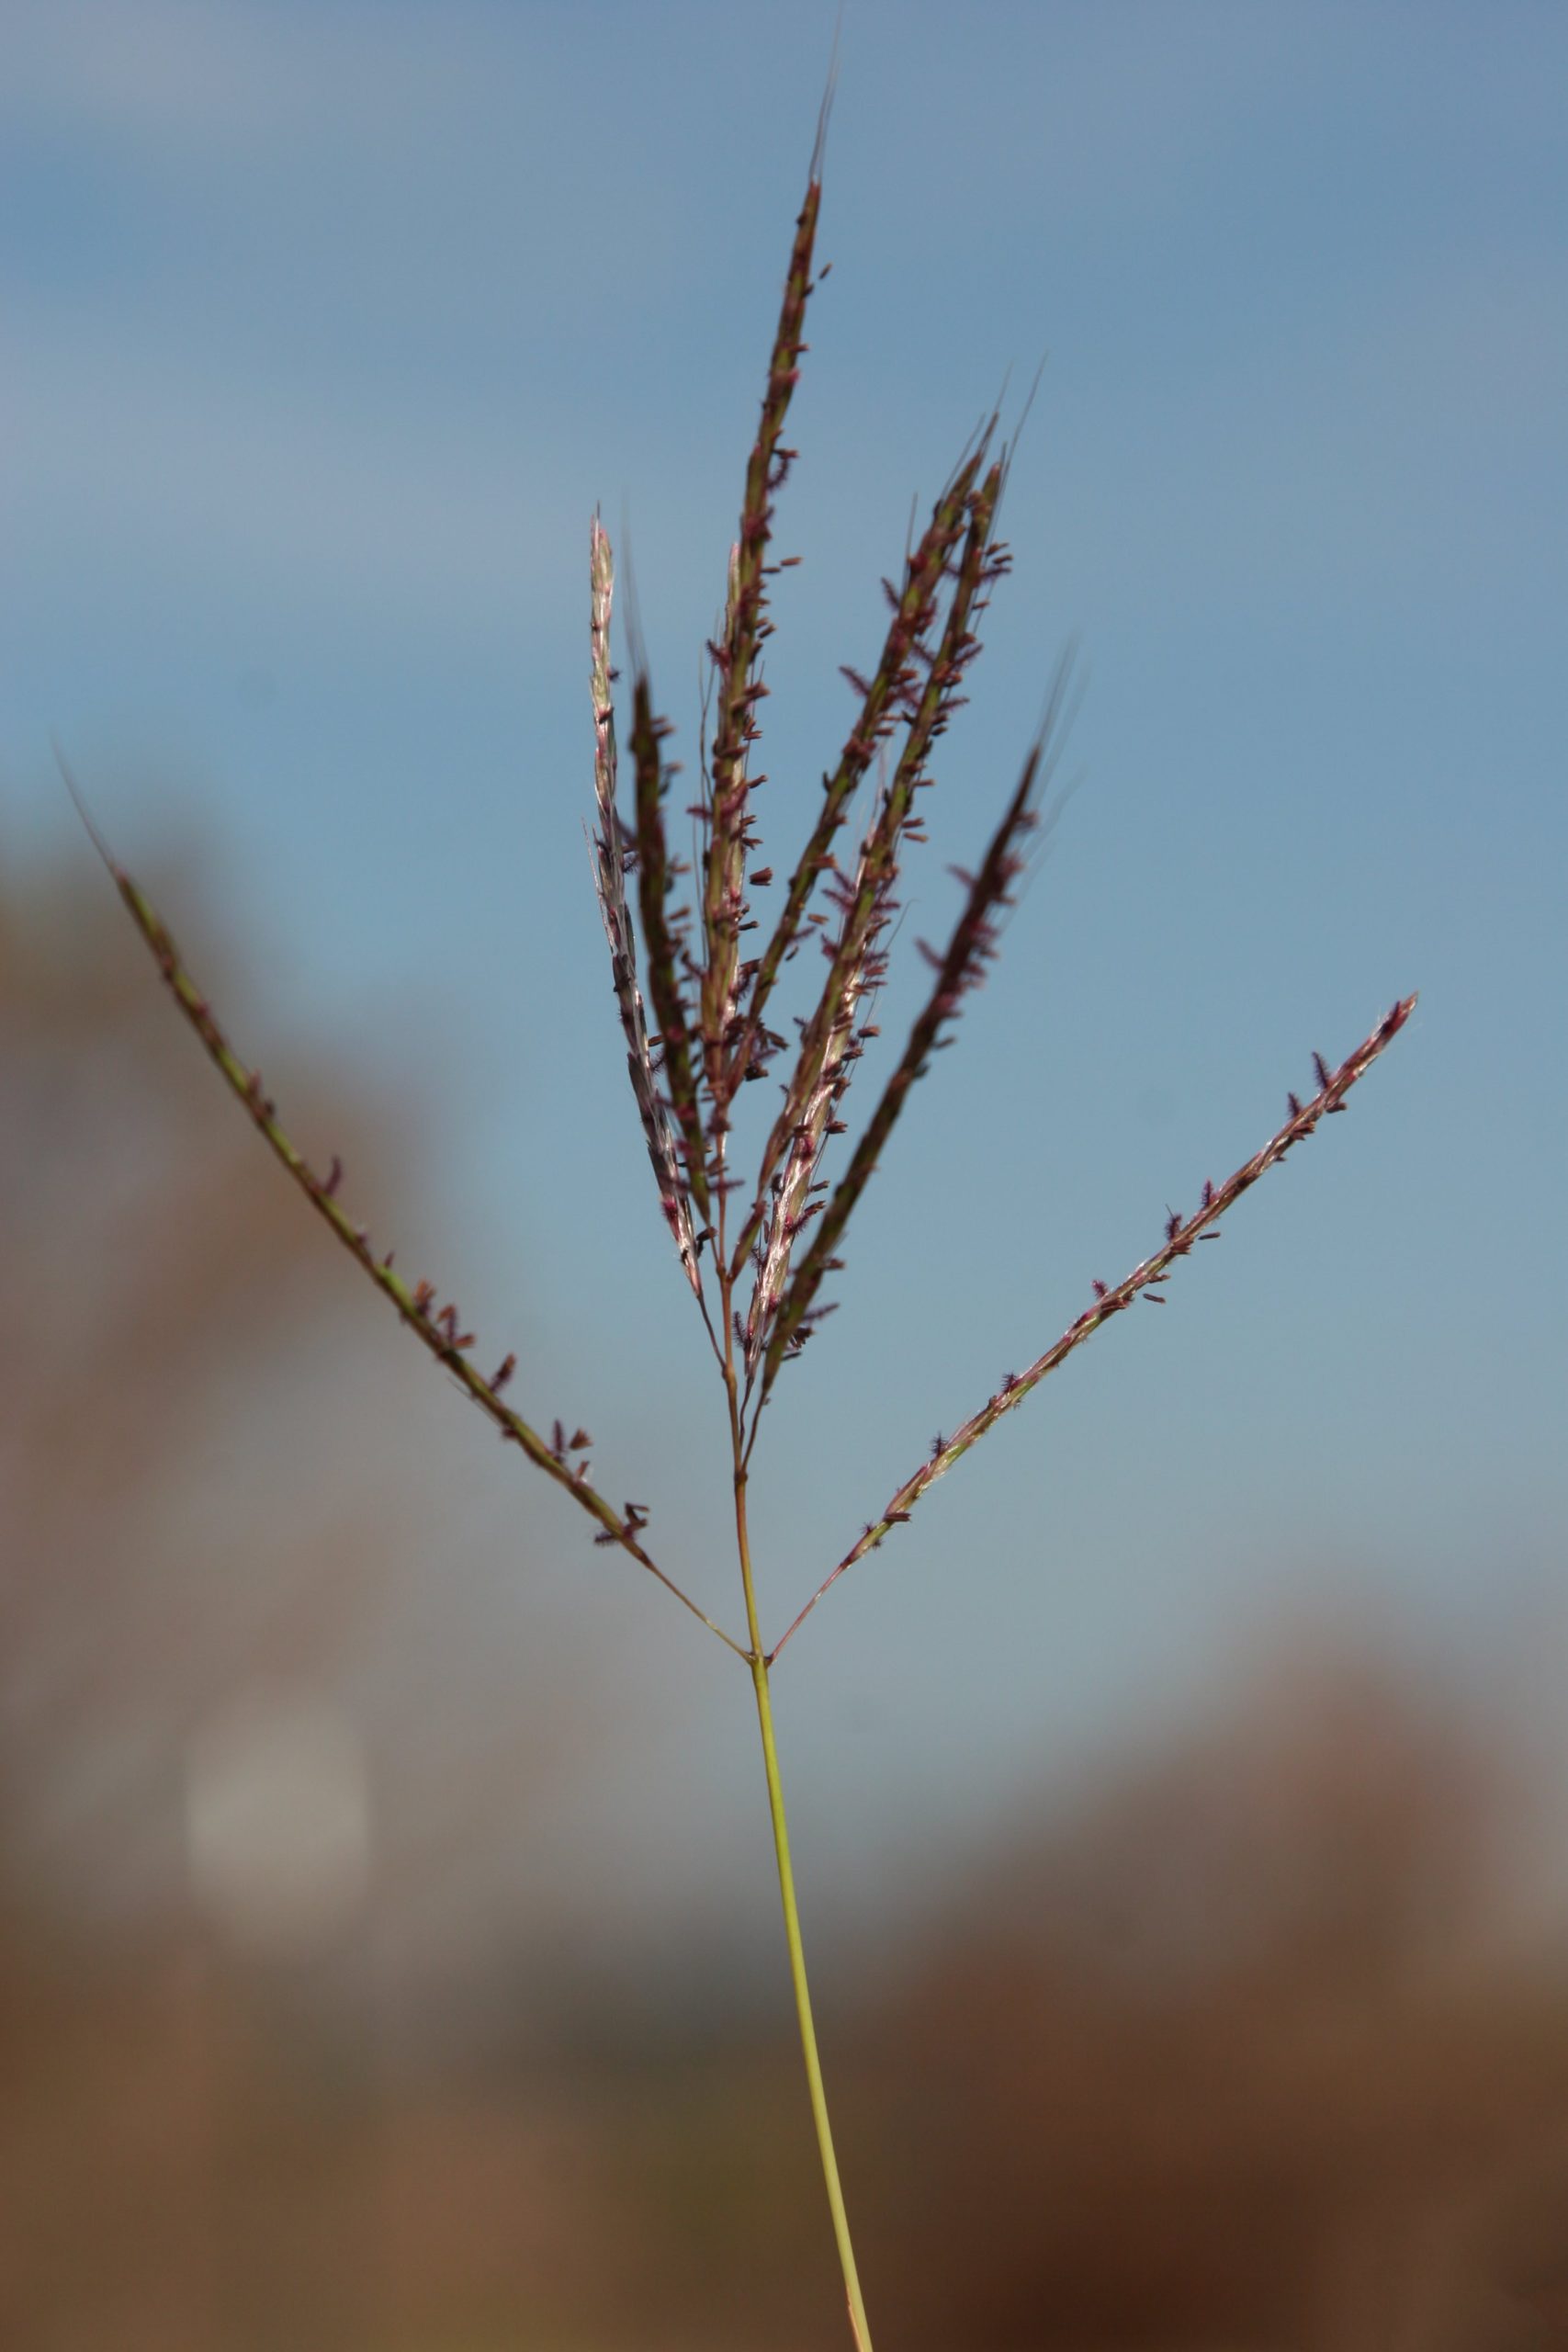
x: 438, y: 1330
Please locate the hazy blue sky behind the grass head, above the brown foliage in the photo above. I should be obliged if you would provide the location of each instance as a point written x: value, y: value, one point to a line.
x: 328, y: 330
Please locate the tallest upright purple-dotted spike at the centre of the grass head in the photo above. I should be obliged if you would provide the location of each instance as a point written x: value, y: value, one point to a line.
x: 746, y: 627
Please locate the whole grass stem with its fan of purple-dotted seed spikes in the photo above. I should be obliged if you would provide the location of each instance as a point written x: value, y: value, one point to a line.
x: 697, y: 1020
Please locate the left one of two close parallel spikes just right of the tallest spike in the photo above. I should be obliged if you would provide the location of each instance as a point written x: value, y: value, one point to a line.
x: 880, y: 702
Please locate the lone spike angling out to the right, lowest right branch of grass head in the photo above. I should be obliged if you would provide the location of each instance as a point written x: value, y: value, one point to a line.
x: 1181, y: 1234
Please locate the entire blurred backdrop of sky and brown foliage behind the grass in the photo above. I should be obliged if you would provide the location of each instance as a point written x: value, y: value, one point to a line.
x: 389, y: 1939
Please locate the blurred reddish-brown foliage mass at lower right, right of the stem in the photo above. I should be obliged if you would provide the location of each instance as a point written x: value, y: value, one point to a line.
x: 1247, y: 2054
